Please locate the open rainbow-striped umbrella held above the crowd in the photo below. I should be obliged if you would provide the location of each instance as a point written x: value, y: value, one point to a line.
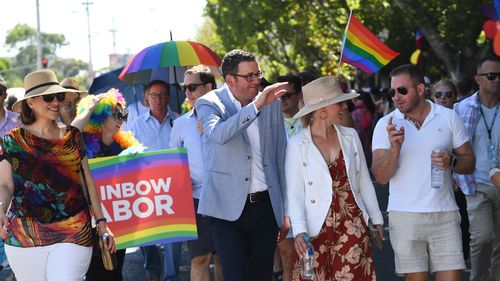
x: 165, y: 55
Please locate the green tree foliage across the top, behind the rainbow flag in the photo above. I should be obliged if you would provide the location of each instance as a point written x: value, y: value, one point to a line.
x: 297, y: 35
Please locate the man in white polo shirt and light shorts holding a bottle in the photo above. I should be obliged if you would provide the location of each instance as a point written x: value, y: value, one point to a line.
x: 424, y: 222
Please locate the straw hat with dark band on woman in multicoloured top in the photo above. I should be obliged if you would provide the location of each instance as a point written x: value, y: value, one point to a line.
x: 39, y: 83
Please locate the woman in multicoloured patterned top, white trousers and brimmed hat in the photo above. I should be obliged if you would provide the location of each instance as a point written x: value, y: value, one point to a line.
x: 47, y: 228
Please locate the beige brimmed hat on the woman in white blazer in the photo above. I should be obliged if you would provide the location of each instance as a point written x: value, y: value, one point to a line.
x: 322, y: 92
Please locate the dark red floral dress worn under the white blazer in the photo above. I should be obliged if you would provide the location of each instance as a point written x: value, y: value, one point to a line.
x: 342, y: 249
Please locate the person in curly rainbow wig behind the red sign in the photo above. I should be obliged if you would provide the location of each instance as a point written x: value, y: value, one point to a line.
x: 101, y: 117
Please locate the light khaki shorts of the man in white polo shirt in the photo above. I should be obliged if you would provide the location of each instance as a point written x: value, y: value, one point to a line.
x: 426, y: 242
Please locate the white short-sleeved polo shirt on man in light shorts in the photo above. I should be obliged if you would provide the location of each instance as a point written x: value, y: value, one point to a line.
x: 410, y: 187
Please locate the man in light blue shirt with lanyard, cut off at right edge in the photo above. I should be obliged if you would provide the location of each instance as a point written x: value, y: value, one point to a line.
x: 480, y: 114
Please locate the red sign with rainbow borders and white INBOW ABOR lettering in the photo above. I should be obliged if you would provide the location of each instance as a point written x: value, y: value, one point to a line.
x: 146, y: 198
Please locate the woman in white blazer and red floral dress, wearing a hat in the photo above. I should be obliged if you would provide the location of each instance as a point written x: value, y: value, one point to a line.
x: 330, y: 194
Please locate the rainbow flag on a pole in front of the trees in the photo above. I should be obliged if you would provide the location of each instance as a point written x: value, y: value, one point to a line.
x: 363, y: 49
